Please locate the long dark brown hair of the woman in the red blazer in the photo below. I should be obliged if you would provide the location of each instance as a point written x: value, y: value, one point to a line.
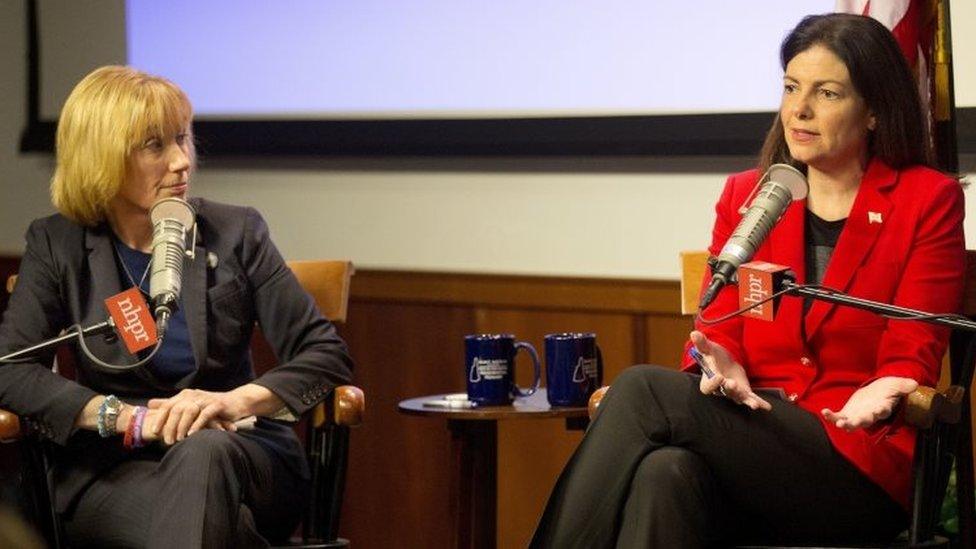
x: 881, y: 76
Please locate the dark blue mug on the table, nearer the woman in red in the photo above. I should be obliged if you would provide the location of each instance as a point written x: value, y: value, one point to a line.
x: 574, y: 368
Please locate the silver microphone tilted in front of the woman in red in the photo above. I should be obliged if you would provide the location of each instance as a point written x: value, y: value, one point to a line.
x: 783, y: 184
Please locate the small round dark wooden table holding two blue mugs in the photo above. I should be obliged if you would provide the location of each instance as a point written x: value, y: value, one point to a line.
x: 474, y: 437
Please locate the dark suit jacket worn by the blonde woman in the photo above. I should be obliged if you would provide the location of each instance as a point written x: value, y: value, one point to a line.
x: 67, y: 272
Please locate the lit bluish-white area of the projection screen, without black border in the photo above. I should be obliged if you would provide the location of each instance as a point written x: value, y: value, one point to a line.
x: 465, y: 59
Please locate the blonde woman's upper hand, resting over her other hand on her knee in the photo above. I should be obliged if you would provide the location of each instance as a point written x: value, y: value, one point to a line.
x: 175, y: 418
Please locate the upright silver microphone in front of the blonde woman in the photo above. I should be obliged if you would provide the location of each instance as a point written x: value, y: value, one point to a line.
x: 172, y: 219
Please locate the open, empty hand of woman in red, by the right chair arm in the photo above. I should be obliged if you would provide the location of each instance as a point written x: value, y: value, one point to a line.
x: 871, y: 403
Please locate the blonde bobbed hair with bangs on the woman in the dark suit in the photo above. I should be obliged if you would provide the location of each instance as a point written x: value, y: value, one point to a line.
x: 110, y: 114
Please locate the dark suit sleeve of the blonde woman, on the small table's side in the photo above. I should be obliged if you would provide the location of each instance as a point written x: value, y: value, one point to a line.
x: 313, y: 358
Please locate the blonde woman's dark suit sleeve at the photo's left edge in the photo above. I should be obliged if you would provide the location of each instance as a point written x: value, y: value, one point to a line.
x: 36, y: 312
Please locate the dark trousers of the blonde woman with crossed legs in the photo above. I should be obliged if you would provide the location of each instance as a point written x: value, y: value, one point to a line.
x: 213, y: 489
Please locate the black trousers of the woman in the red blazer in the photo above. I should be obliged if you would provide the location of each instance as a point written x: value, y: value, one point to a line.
x: 663, y: 465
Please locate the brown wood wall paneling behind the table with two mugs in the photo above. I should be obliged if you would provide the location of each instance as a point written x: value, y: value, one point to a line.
x: 406, y: 332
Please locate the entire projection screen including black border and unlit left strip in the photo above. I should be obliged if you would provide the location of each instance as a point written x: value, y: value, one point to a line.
x: 498, y: 77
